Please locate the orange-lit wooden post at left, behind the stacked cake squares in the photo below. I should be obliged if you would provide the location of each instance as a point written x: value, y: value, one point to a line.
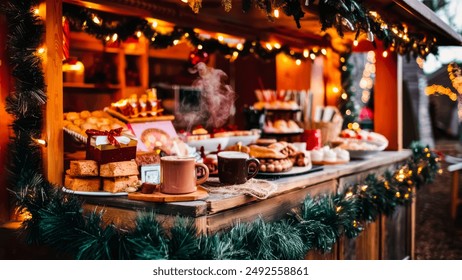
x: 53, y: 123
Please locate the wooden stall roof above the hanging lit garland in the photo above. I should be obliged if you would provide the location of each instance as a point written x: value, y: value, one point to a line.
x: 255, y: 24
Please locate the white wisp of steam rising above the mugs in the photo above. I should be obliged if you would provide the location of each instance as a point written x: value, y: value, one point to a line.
x: 217, y: 98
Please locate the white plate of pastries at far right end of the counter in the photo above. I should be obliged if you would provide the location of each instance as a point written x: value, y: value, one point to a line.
x: 361, y: 143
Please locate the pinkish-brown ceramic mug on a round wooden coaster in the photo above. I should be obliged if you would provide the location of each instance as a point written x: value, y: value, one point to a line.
x: 179, y: 174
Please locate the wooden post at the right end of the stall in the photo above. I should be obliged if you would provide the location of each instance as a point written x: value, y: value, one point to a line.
x: 388, y: 104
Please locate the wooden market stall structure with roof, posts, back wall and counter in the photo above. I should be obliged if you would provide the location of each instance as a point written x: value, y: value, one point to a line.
x: 389, y: 237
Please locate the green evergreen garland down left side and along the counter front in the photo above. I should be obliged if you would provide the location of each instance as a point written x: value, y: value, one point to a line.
x: 56, y: 219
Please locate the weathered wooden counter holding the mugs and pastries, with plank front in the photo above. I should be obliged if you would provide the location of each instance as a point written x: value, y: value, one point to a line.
x: 386, y: 238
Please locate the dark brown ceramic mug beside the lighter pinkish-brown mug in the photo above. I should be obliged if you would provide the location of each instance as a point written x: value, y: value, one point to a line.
x: 234, y: 167
